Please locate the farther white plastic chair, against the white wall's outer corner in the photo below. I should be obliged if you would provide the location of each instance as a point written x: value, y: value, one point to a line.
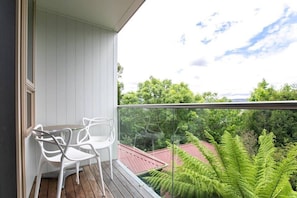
x: 100, y: 133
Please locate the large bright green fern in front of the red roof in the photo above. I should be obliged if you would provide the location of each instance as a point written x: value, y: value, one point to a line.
x: 230, y: 171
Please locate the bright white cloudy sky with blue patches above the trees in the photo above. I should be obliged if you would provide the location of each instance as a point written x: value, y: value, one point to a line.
x: 222, y: 46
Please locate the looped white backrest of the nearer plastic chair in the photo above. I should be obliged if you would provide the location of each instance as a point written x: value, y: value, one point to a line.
x: 52, y: 143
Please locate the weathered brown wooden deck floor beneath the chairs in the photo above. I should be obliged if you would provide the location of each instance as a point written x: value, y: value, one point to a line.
x: 123, y: 184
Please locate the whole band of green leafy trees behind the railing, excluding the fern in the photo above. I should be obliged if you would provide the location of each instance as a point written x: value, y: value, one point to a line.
x: 150, y: 129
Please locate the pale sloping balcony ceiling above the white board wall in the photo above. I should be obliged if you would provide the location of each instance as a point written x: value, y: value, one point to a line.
x: 109, y: 14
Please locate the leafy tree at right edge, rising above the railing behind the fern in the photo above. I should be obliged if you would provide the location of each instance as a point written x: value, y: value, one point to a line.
x: 283, y: 123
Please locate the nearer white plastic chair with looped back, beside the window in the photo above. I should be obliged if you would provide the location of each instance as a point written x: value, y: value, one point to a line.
x: 57, y: 151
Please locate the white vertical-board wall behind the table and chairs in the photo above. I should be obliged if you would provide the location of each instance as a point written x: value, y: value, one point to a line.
x: 76, y: 71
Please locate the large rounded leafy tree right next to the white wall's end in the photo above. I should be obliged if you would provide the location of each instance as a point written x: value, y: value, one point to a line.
x: 155, y: 126
